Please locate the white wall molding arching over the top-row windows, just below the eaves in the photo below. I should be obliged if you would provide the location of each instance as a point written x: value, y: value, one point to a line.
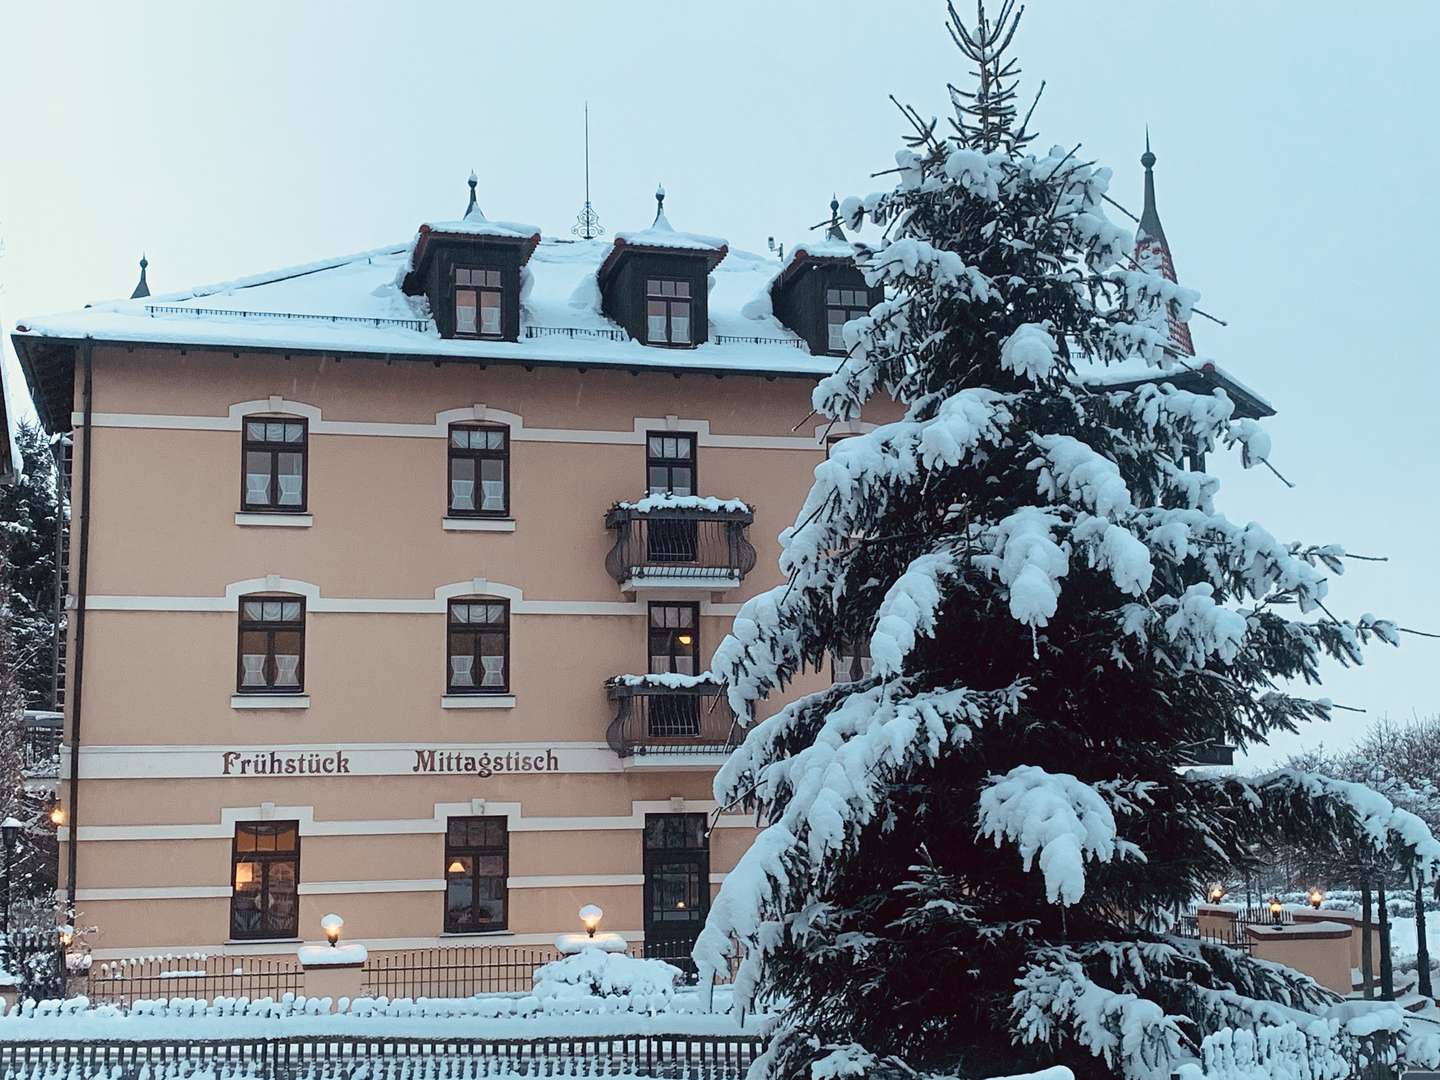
x: 440, y: 427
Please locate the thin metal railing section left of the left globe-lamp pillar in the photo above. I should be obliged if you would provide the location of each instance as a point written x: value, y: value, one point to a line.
x: 127, y: 981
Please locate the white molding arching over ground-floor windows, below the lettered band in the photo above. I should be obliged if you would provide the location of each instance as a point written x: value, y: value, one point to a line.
x: 391, y: 827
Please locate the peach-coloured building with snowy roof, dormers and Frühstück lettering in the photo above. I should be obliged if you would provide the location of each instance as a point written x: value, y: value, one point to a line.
x: 395, y: 578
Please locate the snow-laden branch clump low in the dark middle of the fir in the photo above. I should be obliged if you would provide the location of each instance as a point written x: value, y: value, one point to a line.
x: 1056, y: 816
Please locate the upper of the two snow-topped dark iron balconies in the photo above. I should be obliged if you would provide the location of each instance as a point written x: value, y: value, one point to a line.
x: 669, y: 542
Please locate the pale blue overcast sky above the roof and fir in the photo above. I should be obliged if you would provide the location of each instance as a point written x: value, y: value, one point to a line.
x: 1295, y: 184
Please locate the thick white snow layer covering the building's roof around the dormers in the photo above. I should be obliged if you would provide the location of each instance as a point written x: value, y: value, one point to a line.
x: 354, y: 305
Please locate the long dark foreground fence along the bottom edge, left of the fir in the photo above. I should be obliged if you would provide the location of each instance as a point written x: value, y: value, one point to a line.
x: 699, y: 1058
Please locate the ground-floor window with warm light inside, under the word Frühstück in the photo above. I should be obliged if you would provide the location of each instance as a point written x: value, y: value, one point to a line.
x: 264, y: 881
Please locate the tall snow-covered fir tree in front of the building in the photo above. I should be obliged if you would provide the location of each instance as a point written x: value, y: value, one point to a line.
x: 974, y: 855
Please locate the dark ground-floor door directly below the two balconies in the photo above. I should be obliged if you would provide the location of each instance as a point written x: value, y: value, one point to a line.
x: 678, y: 885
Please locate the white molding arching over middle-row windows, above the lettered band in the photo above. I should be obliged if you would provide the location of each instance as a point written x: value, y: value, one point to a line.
x: 437, y: 604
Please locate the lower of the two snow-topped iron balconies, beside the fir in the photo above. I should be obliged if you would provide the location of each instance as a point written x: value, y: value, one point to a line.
x: 670, y: 721
